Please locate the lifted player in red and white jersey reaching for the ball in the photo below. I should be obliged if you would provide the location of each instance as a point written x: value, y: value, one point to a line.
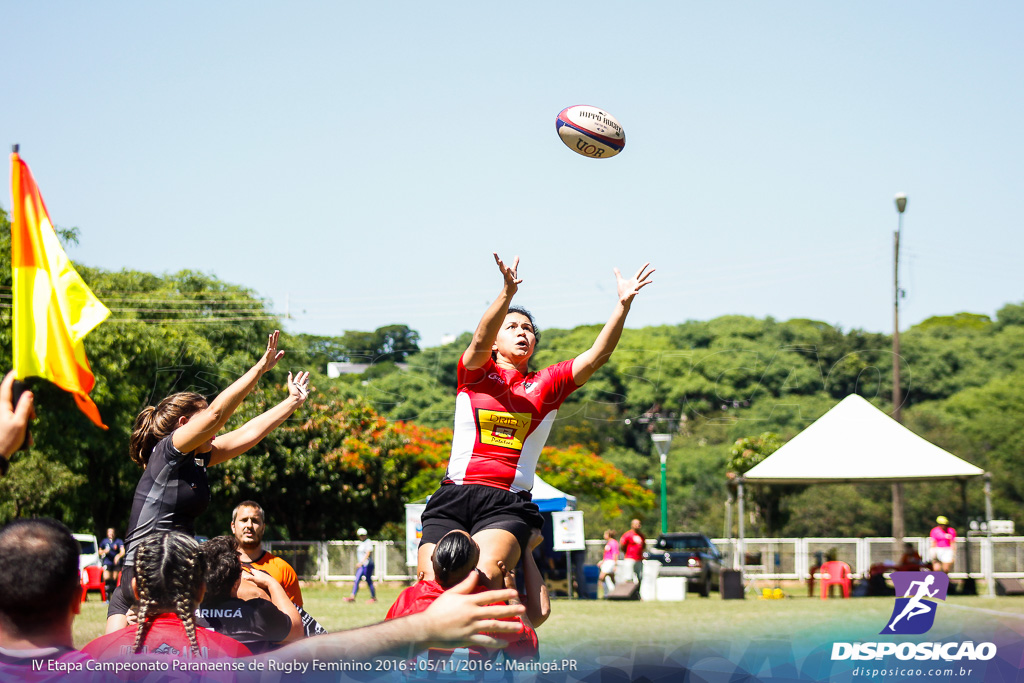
x: 504, y: 414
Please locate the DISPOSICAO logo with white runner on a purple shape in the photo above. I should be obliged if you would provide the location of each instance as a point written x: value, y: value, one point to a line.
x: 915, y: 615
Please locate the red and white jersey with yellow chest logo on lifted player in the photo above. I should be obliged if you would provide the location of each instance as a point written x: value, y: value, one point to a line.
x: 502, y: 421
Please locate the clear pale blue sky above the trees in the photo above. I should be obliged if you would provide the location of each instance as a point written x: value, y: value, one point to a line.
x: 359, y: 162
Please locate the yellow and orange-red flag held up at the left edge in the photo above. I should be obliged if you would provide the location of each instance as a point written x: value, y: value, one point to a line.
x: 54, y: 308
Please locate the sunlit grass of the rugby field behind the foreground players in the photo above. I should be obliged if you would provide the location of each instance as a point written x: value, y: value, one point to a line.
x: 602, y: 624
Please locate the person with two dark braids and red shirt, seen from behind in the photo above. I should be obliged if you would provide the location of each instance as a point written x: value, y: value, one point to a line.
x: 168, y: 581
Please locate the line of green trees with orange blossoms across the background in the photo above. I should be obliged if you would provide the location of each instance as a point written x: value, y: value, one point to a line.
x: 732, y: 391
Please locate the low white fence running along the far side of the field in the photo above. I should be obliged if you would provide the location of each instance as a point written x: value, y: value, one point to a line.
x: 770, y: 559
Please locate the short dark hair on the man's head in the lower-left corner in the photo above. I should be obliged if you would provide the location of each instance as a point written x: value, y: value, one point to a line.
x: 39, y: 575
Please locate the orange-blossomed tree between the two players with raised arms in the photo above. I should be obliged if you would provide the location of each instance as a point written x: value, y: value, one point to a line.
x: 335, y: 466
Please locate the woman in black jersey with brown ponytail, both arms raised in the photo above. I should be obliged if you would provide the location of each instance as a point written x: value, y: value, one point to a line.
x: 176, y: 442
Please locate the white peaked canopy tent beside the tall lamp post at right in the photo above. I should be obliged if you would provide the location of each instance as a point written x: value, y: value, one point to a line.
x: 856, y: 443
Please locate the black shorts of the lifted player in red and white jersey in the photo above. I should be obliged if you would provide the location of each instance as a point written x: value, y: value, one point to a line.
x: 474, y: 508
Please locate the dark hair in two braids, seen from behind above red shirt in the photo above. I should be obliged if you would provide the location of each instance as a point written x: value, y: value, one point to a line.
x: 169, y: 572
